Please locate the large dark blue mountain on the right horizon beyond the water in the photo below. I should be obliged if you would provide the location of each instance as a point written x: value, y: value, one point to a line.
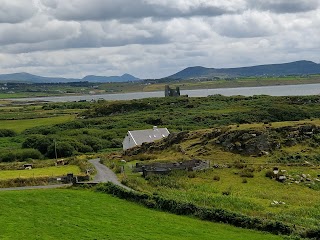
x: 292, y: 68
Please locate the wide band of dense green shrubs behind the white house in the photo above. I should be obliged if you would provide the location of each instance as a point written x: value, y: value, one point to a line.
x: 104, y: 124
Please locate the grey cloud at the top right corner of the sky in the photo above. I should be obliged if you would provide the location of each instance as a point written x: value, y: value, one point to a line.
x: 284, y: 6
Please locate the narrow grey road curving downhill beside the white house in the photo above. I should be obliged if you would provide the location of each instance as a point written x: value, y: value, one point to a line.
x: 104, y: 174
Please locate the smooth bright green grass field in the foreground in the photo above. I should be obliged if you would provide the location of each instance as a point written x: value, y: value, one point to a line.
x: 80, y: 214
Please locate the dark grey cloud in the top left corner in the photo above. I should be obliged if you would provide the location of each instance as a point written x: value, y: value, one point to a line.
x: 14, y: 11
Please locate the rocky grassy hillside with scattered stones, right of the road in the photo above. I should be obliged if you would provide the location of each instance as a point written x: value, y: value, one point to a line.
x: 238, y: 178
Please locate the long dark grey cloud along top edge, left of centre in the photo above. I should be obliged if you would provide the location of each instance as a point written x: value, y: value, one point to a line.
x: 96, y: 10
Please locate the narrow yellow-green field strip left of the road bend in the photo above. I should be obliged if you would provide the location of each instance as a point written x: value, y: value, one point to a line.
x: 39, y: 172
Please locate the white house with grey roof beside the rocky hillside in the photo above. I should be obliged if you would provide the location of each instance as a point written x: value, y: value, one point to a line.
x: 137, y: 137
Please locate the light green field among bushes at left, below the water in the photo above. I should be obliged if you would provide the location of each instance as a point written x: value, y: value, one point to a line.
x: 20, y: 125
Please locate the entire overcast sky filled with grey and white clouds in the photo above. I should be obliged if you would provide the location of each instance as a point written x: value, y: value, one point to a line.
x: 153, y: 38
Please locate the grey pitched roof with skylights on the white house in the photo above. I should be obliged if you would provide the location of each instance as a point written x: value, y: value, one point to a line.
x: 149, y: 135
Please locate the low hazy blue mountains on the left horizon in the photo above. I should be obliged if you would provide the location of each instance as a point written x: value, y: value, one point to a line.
x: 30, y: 78
